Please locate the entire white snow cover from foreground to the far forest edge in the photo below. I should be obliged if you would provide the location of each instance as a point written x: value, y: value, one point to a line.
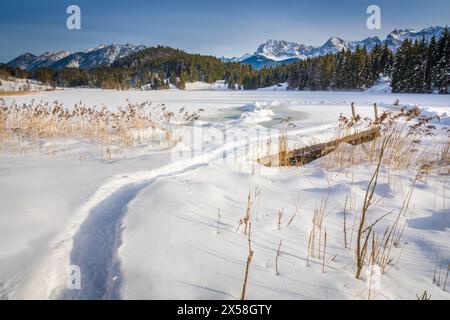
x: 160, y: 219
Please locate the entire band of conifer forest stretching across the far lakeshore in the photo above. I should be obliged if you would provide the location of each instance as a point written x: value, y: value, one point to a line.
x: 418, y: 67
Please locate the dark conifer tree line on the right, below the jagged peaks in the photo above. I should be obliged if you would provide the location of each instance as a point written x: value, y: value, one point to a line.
x: 416, y: 67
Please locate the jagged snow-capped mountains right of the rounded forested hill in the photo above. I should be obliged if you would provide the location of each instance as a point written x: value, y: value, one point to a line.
x: 276, y: 52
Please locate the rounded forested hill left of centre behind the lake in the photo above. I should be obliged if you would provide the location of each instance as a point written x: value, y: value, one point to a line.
x: 151, y: 68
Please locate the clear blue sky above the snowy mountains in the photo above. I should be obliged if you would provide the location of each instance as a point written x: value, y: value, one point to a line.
x: 228, y: 27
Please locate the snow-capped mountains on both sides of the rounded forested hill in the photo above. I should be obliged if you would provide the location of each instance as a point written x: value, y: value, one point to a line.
x: 271, y: 53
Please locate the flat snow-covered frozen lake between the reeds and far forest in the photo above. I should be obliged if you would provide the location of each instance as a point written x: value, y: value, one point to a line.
x: 310, y: 108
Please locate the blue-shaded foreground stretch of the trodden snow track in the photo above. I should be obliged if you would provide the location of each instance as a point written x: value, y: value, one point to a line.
x: 95, y: 246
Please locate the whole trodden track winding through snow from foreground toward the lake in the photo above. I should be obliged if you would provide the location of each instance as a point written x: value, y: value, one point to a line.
x: 93, y: 238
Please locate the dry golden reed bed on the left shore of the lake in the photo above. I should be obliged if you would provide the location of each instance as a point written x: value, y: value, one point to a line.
x: 126, y: 127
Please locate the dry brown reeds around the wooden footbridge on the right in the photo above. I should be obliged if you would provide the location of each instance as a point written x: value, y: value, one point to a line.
x: 406, y: 148
